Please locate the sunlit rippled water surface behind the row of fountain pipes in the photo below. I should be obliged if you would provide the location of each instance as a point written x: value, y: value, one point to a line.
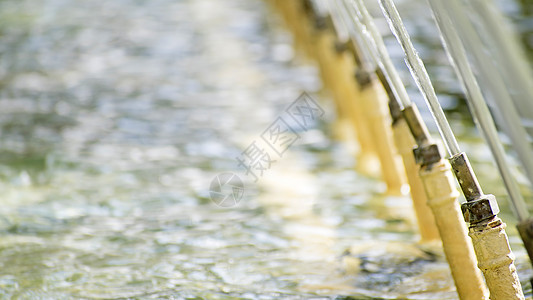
x: 116, y: 115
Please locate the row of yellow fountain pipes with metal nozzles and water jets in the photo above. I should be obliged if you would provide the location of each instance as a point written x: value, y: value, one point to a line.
x: 356, y: 67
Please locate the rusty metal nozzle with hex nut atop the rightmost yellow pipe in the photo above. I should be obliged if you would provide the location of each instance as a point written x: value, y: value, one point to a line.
x: 478, y: 206
